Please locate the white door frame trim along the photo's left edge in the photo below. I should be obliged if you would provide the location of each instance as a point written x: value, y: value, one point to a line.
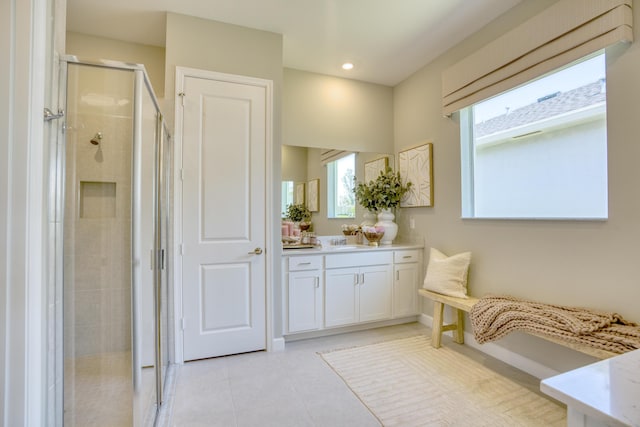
x: 24, y: 211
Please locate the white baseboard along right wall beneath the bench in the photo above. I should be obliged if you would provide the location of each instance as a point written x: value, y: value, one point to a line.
x: 507, y: 356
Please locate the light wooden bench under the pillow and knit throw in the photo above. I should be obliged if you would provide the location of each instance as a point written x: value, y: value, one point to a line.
x: 462, y: 305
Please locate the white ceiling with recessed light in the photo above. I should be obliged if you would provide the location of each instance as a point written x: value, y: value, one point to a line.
x: 387, y: 40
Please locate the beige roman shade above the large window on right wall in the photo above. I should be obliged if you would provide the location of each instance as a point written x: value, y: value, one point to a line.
x: 561, y: 34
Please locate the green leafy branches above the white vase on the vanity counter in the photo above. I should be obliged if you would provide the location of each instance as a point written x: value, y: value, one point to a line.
x: 385, y: 192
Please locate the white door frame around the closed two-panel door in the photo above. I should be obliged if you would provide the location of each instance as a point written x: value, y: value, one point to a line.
x: 181, y: 74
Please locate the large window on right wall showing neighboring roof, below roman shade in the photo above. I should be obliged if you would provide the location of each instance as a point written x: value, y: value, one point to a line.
x: 540, y: 150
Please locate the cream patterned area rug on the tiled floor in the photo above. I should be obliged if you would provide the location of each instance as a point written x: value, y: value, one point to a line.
x: 406, y: 382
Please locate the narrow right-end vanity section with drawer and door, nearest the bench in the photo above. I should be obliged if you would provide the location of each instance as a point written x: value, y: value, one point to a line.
x: 407, y: 273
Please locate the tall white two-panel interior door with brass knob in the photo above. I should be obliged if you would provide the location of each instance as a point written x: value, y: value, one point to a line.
x: 223, y: 217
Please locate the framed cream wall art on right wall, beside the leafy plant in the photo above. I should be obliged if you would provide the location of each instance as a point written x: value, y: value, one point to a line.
x: 416, y: 166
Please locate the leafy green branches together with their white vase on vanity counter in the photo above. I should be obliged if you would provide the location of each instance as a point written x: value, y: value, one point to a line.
x: 381, y: 196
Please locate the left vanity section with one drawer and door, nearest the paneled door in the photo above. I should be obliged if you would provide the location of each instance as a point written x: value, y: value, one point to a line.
x: 304, y: 293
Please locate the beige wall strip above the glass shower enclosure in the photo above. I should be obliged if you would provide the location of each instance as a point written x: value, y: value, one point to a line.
x: 85, y: 46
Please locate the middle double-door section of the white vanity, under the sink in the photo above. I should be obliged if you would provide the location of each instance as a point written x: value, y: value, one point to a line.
x: 358, y: 288
